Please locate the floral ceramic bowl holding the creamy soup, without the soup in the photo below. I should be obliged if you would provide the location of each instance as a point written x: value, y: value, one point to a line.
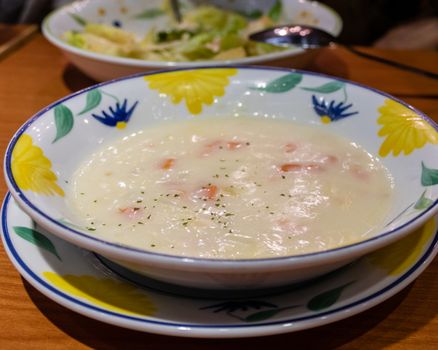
x: 43, y: 154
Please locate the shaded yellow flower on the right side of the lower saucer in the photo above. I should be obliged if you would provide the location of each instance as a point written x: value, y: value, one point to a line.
x: 400, y: 256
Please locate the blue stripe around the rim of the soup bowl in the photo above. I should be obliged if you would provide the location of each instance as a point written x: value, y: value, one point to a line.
x: 26, y: 125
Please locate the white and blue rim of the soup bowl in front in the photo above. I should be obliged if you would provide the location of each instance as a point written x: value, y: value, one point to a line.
x: 135, y: 254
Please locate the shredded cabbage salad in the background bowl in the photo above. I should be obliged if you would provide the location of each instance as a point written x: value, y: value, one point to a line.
x: 206, y: 33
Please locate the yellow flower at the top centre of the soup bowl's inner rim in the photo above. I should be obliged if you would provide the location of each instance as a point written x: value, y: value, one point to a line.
x: 196, y: 87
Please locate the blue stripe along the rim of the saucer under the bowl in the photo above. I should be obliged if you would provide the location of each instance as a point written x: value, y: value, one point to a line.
x: 38, y: 280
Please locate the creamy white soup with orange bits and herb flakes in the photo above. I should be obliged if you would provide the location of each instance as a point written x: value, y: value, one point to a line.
x: 231, y: 188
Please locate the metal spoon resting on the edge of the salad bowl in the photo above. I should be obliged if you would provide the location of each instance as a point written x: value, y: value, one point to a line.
x: 309, y: 37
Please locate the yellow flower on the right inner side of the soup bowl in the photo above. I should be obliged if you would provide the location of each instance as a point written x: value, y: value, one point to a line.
x: 403, y: 129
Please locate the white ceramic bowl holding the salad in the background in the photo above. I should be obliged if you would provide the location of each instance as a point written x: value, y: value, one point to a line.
x: 139, y: 16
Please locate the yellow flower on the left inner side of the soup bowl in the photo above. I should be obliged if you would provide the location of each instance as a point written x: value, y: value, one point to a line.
x: 31, y: 169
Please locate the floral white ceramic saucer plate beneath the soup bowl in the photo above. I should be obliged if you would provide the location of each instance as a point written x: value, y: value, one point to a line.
x: 76, y: 279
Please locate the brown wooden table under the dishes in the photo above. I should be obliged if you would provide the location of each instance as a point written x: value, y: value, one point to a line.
x: 37, y: 74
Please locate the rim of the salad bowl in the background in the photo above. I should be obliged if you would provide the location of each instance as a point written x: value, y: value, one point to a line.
x: 134, y: 62
